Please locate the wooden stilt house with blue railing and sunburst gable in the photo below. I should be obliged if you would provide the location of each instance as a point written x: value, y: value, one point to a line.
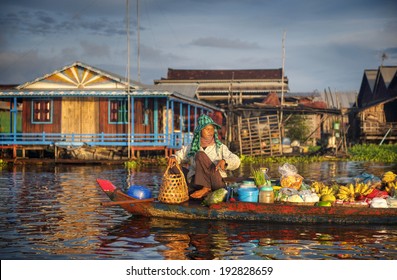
x: 83, y: 112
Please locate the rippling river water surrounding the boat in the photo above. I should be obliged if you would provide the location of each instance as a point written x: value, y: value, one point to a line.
x: 54, y: 212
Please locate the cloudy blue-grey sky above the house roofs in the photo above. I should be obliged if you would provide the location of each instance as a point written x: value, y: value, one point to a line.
x: 327, y: 43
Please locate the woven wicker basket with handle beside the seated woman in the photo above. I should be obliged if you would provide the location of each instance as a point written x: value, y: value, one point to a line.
x: 174, y: 189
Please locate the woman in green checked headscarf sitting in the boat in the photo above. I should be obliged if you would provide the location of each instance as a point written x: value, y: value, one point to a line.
x: 208, y: 159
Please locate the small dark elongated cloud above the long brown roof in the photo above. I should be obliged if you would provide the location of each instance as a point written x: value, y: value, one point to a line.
x: 223, y: 43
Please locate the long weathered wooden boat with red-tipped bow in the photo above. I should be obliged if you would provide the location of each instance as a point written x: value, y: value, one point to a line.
x: 249, y: 211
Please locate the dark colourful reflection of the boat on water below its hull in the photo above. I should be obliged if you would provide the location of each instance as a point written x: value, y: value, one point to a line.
x: 180, y: 240
